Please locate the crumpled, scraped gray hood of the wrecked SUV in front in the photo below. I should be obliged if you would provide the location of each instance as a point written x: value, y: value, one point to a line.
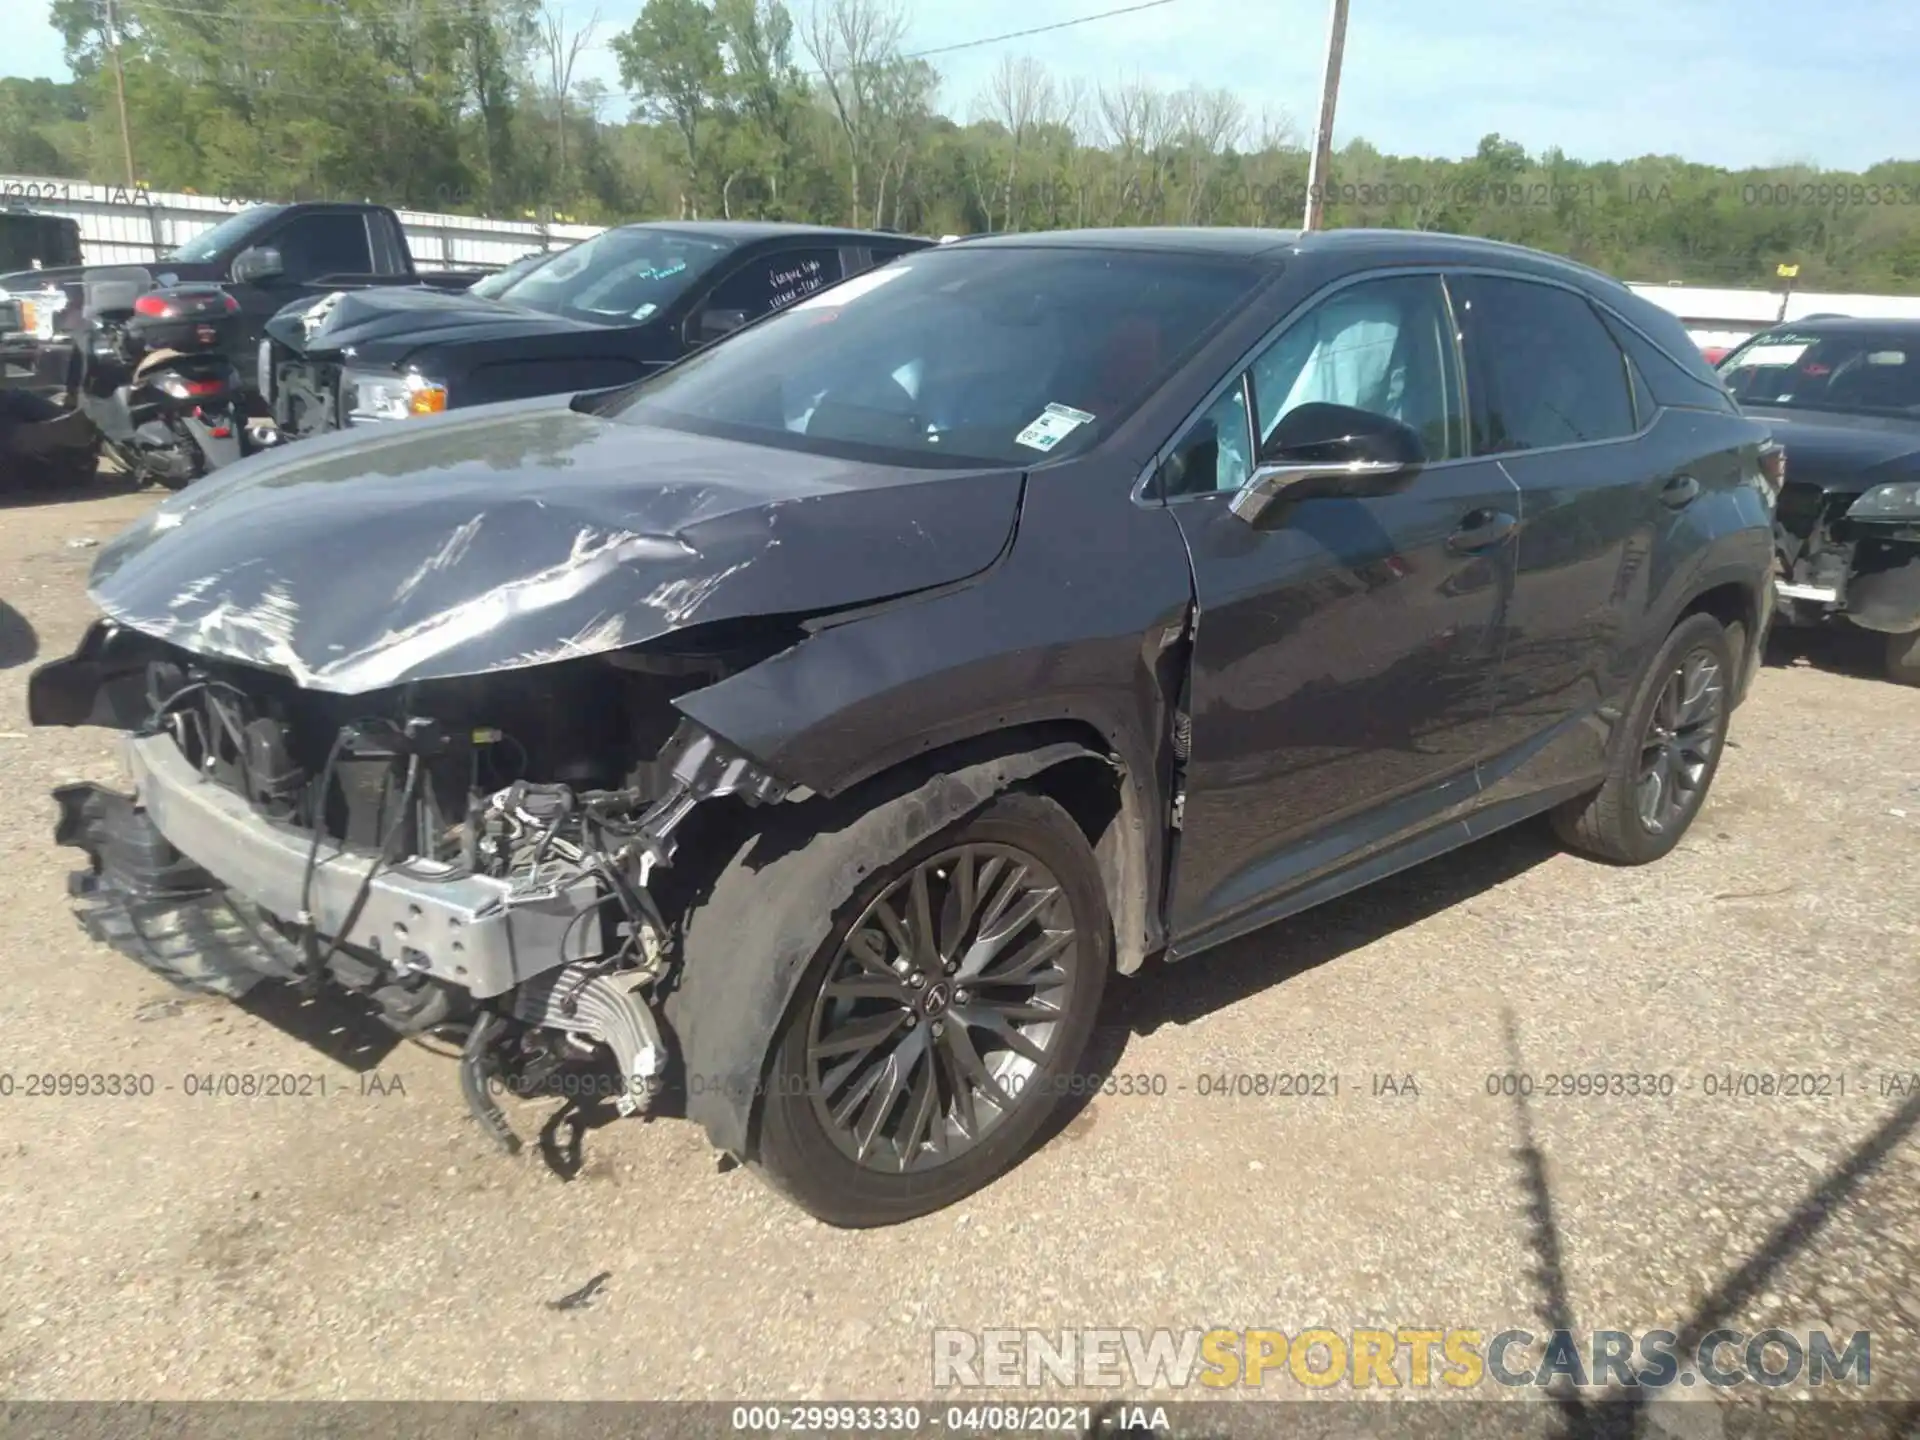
x: 527, y: 533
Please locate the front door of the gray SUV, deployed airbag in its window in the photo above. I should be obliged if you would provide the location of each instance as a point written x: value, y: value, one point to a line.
x: 1347, y: 656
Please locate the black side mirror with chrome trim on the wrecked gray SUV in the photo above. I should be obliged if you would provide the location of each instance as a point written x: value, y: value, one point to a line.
x: 1326, y: 450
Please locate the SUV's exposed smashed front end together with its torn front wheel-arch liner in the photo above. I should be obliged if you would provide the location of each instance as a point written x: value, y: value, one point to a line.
x: 525, y: 921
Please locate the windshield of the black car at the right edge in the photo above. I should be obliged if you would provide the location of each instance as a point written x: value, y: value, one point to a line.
x: 1852, y: 372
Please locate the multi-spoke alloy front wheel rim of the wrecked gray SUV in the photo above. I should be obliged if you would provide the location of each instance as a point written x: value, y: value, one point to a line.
x: 940, y: 1007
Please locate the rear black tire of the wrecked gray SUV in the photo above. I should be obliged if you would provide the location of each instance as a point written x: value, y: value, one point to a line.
x: 1612, y: 823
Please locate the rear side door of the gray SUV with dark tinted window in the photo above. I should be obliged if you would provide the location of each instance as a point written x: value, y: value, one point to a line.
x: 1562, y: 410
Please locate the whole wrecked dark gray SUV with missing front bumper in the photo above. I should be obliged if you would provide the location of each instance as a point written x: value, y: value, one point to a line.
x: 805, y: 734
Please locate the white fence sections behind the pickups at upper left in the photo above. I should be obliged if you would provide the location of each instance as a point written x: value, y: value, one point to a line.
x: 122, y: 226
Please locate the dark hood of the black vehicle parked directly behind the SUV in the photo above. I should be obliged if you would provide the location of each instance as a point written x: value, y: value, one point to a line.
x: 385, y: 325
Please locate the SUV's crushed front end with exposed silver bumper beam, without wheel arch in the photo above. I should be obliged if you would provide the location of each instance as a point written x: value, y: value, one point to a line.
x: 473, y: 855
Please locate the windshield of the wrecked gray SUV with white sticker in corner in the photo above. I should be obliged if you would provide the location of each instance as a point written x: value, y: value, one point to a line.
x: 992, y: 356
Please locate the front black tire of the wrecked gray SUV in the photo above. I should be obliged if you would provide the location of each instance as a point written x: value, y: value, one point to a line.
x: 802, y: 1149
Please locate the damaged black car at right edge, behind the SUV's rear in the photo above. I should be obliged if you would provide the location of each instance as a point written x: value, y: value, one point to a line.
x: 1844, y: 400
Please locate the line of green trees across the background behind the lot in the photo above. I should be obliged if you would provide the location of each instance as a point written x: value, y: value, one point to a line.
x: 821, y: 112
